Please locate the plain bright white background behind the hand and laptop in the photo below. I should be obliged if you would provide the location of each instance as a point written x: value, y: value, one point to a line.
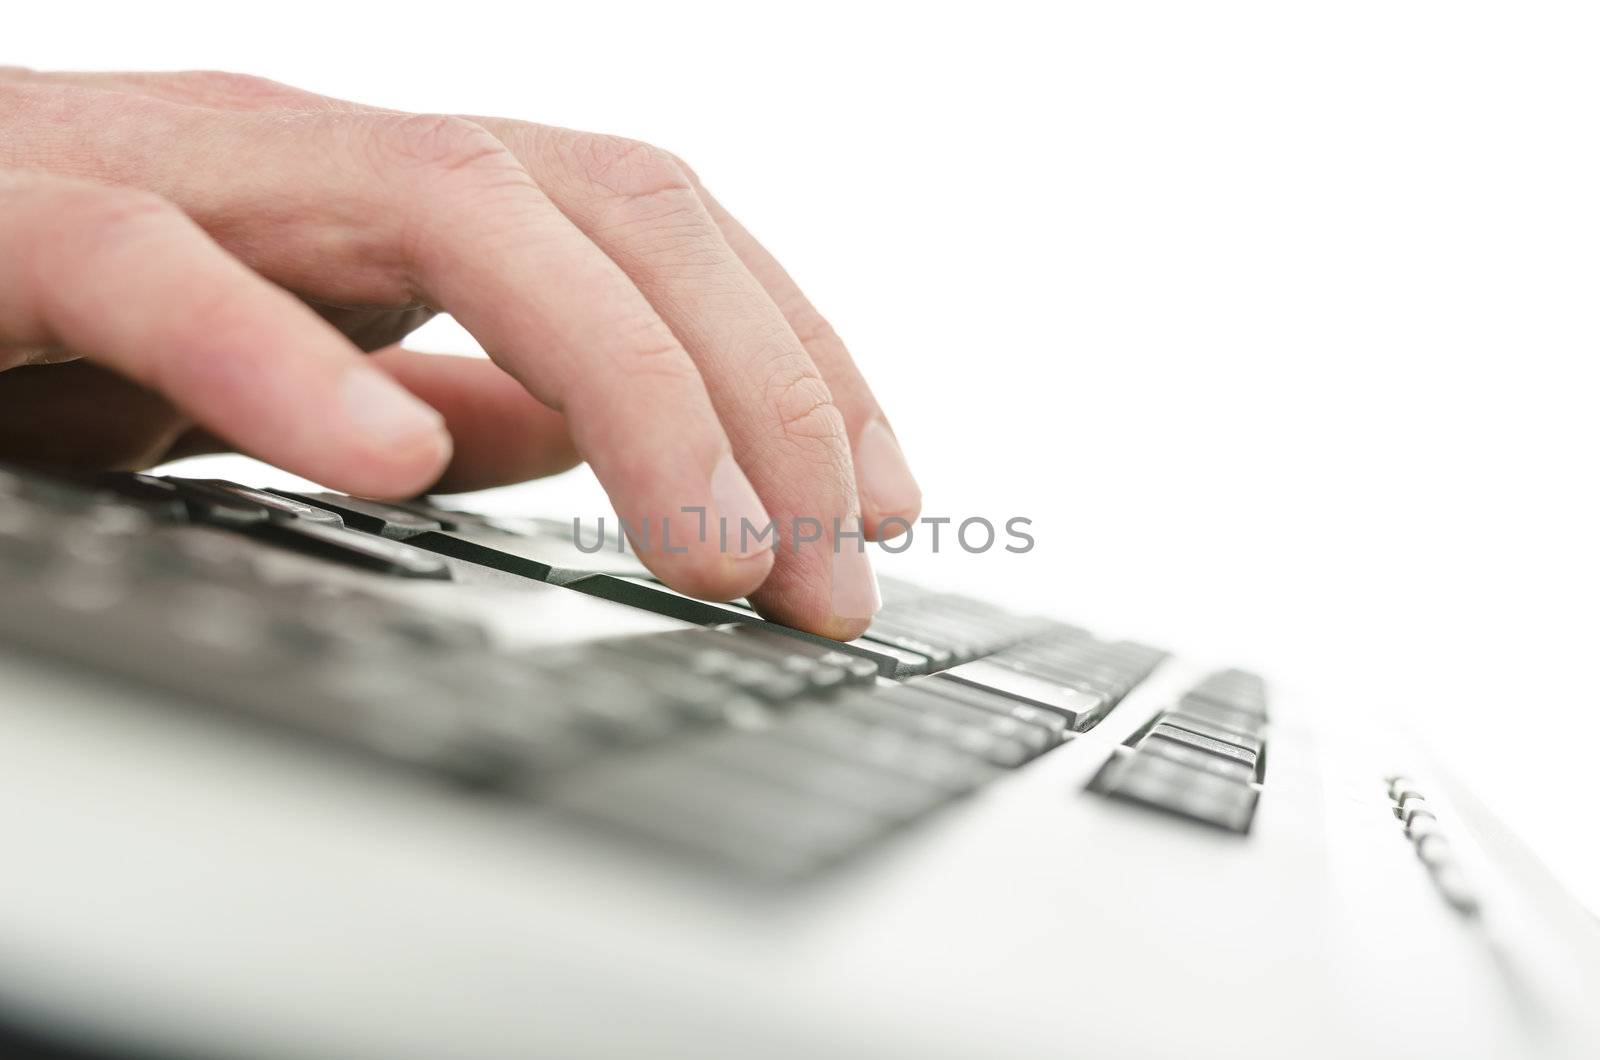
x: 1279, y: 321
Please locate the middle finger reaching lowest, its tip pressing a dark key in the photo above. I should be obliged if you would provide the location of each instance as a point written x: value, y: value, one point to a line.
x: 639, y: 206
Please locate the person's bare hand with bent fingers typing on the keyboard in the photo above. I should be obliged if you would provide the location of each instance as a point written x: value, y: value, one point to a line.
x: 199, y: 262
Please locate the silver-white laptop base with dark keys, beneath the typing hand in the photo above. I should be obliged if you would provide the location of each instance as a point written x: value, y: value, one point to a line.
x: 204, y: 867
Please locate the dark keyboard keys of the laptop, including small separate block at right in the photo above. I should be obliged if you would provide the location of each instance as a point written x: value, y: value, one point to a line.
x: 774, y: 752
